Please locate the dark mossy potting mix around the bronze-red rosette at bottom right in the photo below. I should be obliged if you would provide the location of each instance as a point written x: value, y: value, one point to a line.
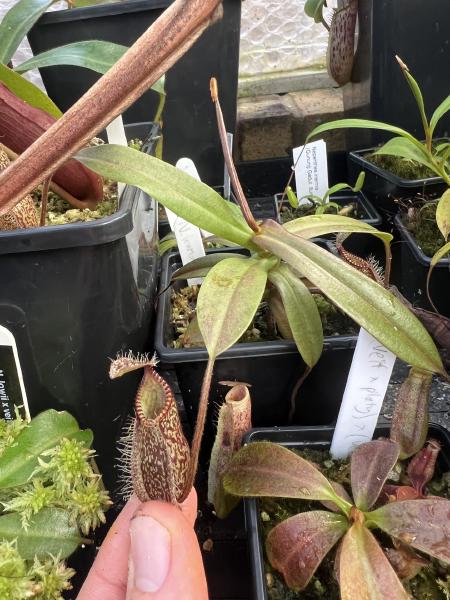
x: 432, y: 583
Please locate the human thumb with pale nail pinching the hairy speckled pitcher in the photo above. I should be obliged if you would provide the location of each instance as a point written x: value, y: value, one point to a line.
x: 165, y: 560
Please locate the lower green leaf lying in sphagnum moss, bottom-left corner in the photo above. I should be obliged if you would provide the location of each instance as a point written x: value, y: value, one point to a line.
x: 51, y: 531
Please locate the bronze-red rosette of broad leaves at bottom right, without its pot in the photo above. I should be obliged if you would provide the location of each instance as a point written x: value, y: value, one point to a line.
x: 297, y: 546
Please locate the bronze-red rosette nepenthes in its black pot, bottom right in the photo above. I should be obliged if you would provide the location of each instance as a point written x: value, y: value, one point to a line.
x: 371, y: 526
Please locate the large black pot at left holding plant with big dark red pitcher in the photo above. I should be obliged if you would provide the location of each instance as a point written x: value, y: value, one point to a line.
x: 74, y: 255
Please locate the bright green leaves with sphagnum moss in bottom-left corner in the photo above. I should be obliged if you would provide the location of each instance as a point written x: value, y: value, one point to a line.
x: 51, y: 498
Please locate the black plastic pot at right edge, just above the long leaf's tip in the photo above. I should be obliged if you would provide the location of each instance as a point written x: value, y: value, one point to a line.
x: 411, y: 279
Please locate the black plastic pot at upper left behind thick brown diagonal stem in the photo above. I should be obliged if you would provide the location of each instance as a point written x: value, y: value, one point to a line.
x: 189, y: 119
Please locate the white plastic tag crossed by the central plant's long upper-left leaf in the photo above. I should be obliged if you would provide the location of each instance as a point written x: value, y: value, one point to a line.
x: 189, y: 238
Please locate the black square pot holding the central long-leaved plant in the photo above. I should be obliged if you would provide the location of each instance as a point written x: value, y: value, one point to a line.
x: 272, y: 368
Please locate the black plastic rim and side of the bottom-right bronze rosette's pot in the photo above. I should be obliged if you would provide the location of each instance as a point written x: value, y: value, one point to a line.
x: 300, y: 438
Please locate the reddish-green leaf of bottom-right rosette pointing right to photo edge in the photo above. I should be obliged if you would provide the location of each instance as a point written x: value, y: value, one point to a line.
x: 423, y: 524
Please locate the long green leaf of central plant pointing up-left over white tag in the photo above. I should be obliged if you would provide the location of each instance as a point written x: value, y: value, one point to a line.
x: 185, y: 196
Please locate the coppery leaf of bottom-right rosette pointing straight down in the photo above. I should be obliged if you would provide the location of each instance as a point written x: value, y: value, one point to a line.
x: 364, y: 571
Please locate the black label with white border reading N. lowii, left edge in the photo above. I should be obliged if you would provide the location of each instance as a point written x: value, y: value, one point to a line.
x: 12, y: 387
